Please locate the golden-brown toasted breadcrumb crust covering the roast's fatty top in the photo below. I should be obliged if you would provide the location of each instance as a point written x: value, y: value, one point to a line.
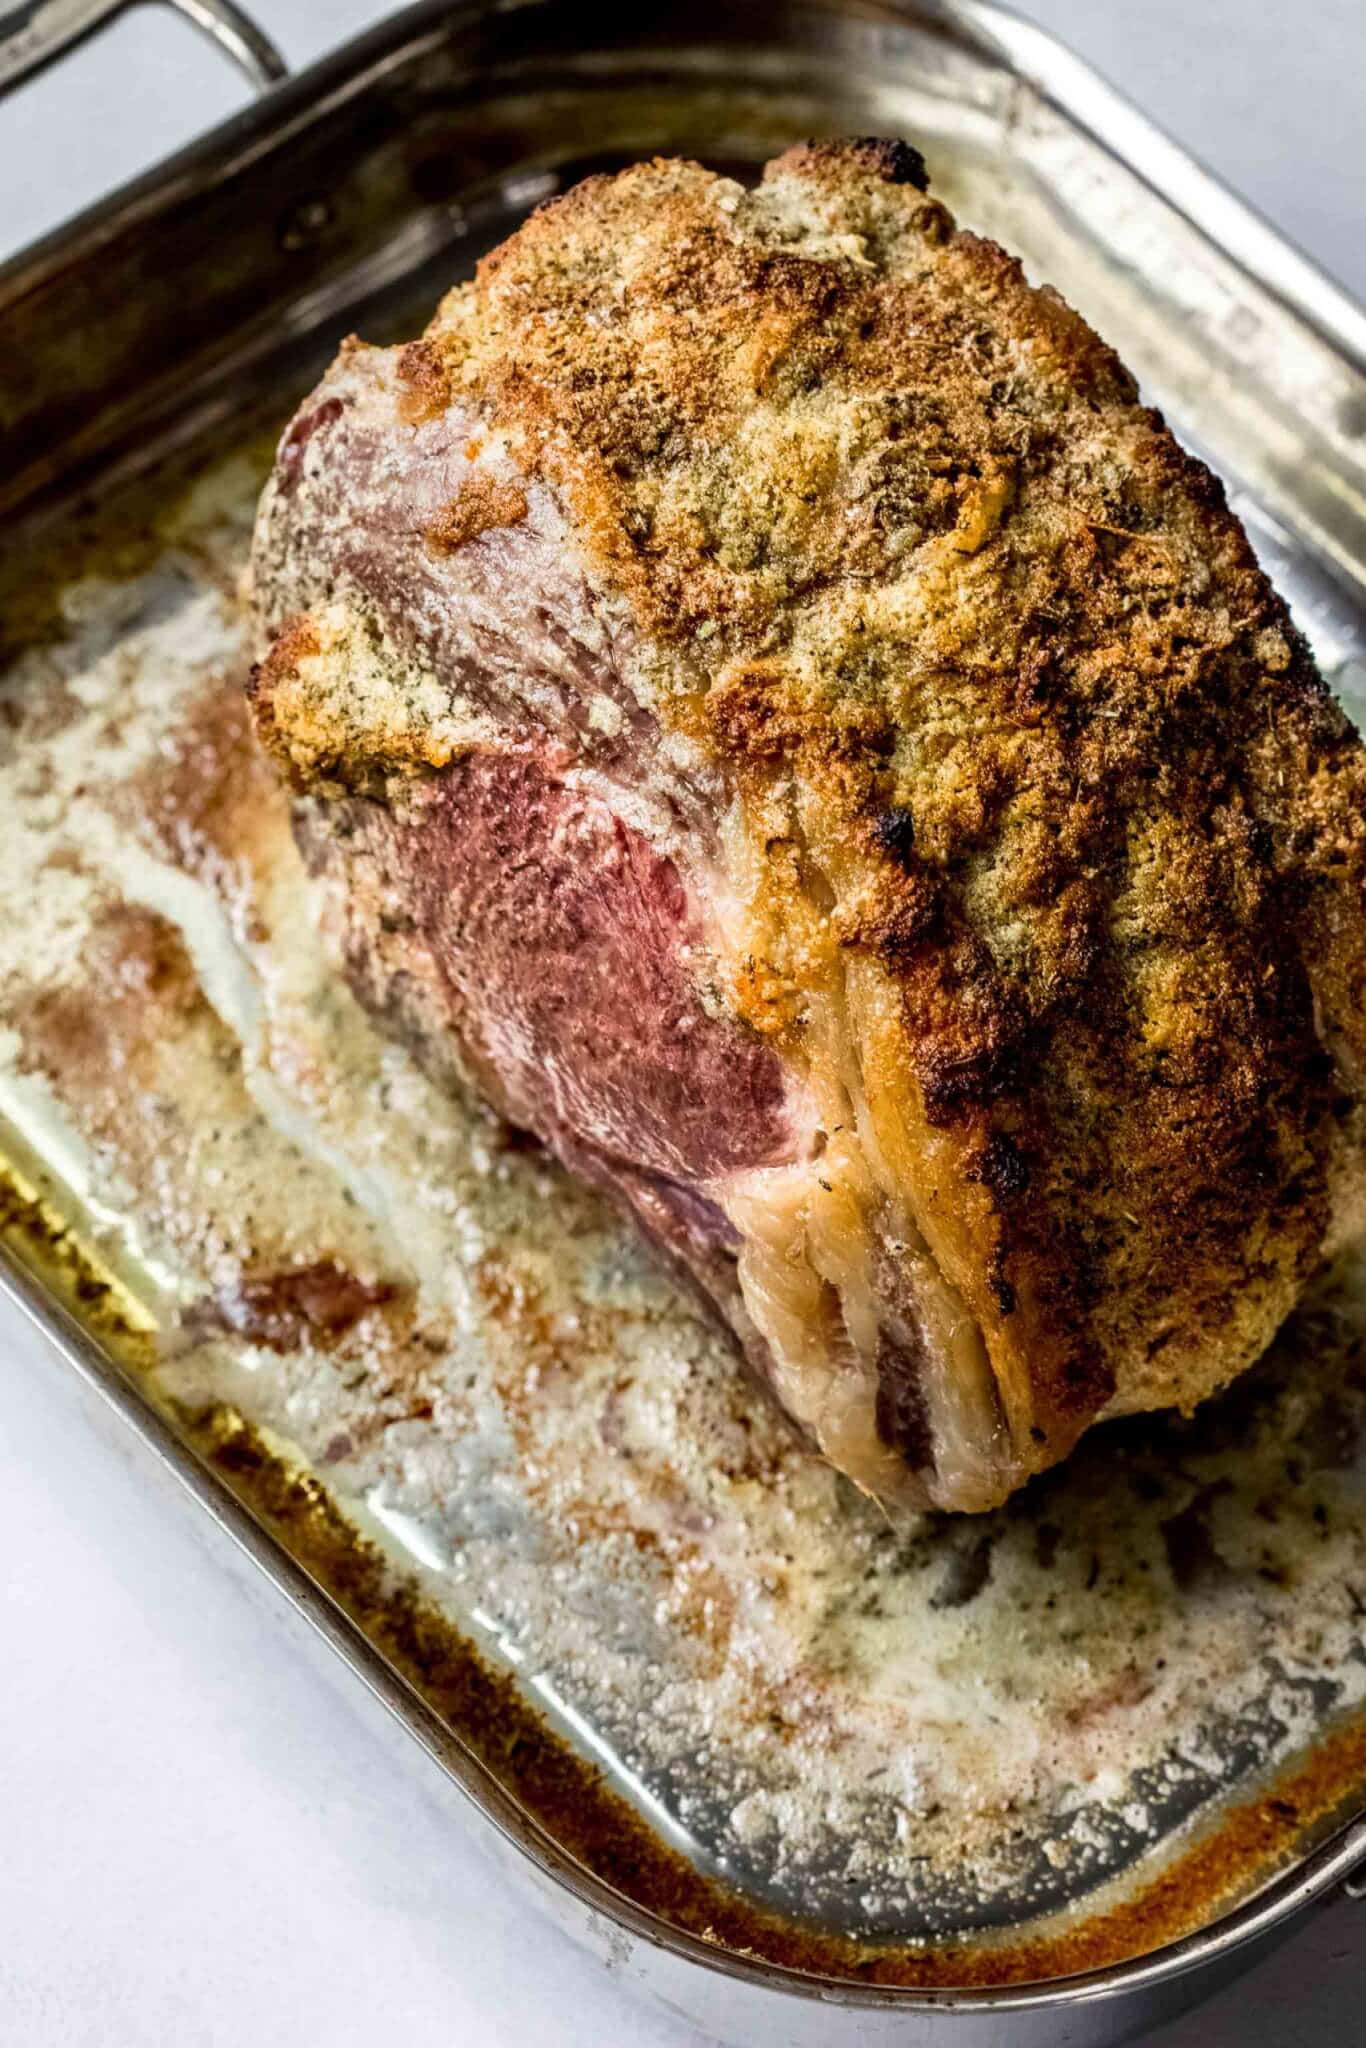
x: 1045, y: 839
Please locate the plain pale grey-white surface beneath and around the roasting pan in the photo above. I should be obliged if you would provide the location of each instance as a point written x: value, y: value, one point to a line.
x: 200, y: 1838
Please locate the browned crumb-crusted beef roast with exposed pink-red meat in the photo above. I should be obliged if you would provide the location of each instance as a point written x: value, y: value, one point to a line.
x: 779, y: 716
